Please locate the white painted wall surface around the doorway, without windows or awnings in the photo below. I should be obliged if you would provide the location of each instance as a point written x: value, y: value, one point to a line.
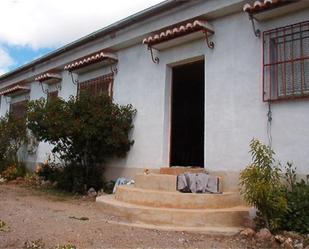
x: 235, y: 112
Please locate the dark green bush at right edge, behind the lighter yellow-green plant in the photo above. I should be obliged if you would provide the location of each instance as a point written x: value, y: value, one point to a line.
x: 297, y: 195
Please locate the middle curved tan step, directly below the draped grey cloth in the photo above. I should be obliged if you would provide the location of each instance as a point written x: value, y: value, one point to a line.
x: 167, y: 199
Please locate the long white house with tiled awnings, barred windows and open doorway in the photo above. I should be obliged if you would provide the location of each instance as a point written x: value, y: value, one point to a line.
x: 208, y: 93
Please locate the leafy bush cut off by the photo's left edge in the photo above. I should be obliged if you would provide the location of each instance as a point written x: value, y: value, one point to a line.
x: 13, y: 135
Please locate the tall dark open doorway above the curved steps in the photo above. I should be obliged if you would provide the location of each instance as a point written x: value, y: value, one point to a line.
x: 187, y: 121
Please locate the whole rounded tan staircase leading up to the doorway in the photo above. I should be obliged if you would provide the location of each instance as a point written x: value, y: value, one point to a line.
x: 153, y: 202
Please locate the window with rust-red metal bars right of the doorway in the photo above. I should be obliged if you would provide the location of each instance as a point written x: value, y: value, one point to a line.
x: 286, y: 62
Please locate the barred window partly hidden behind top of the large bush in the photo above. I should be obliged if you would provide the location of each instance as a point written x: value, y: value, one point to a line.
x: 97, y: 86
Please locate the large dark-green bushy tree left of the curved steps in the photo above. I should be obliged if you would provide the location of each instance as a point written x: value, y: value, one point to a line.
x: 85, y: 132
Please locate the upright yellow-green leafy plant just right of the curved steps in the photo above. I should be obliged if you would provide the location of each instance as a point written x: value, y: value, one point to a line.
x: 262, y: 188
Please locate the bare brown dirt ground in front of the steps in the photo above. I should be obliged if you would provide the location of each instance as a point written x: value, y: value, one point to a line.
x: 32, y: 215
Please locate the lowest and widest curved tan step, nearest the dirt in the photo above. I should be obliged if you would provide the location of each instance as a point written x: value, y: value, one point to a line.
x: 217, y: 218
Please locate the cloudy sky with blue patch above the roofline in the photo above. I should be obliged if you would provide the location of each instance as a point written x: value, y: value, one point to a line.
x: 31, y: 28
